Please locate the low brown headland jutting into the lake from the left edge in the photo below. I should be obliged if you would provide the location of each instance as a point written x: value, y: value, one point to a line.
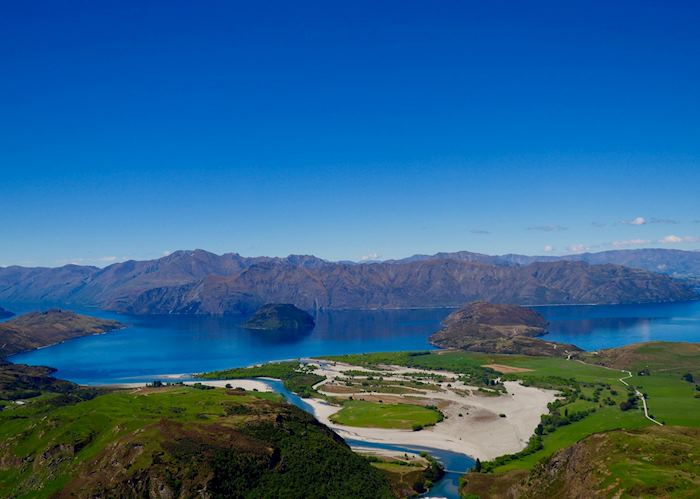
x: 39, y: 329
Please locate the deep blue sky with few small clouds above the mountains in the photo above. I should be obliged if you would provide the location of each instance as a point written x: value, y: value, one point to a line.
x: 346, y: 129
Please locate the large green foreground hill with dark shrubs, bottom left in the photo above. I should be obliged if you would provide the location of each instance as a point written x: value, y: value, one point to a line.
x: 176, y: 441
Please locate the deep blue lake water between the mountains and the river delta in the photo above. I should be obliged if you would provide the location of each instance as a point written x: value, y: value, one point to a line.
x: 151, y: 346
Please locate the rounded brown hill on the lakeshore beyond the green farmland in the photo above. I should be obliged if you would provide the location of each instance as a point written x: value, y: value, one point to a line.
x: 497, y: 328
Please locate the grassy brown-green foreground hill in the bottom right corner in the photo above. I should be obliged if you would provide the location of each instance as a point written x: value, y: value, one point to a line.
x: 650, y: 462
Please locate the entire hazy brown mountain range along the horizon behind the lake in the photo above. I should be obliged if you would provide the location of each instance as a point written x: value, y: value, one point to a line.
x: 200, y: 282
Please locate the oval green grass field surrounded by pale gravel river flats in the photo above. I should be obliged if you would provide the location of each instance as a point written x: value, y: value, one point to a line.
x: 376, y: 415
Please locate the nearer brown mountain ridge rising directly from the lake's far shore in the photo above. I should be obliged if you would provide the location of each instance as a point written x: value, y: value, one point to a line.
x: 430, y: 283
